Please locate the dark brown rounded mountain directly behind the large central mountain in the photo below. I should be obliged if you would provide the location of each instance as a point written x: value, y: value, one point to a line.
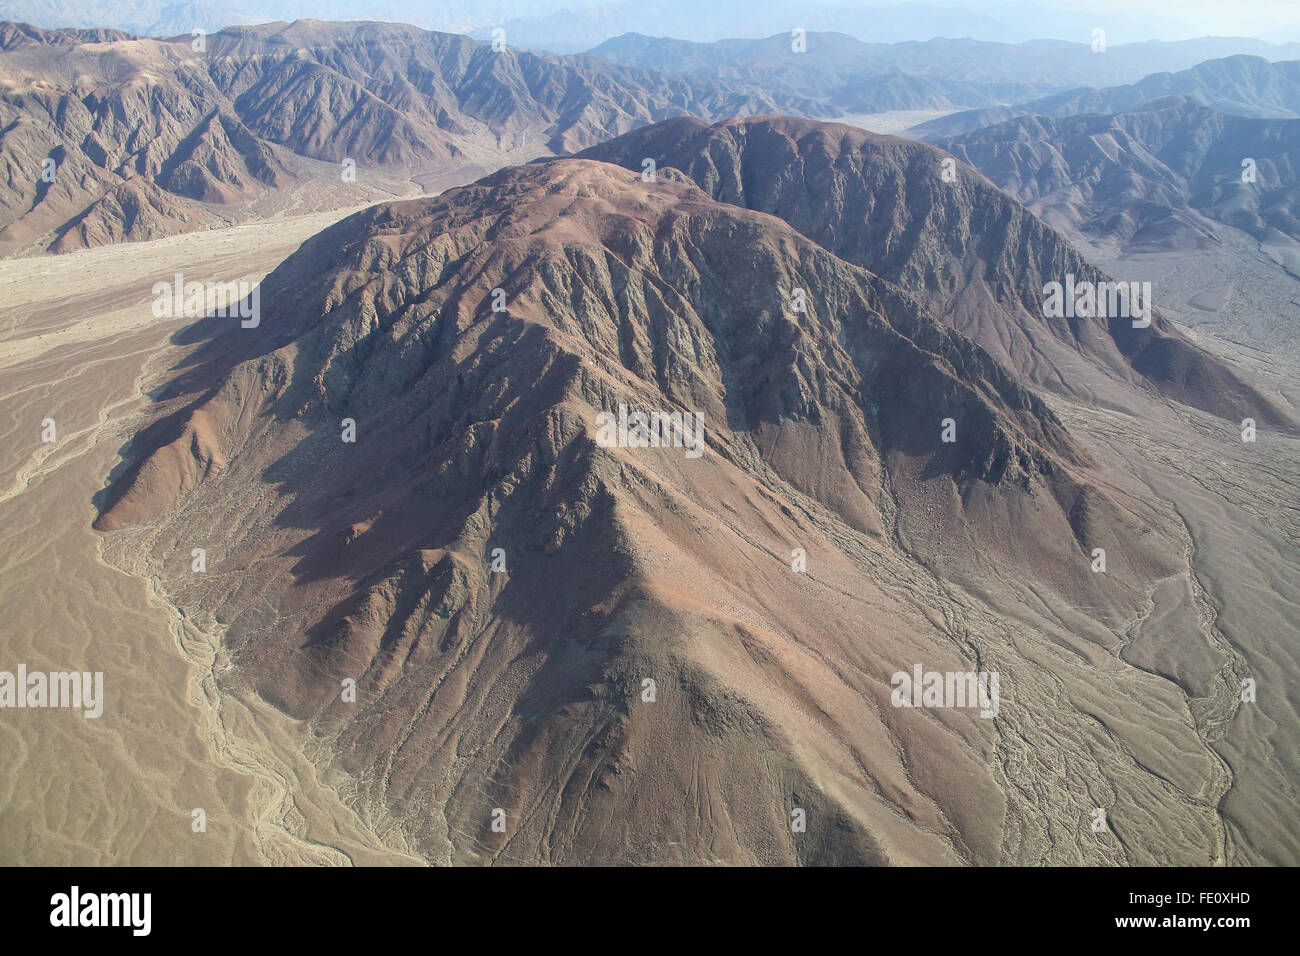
x: 977, y: 259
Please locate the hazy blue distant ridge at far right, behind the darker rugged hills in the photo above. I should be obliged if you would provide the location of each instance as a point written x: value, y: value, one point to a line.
x: 1245, y: 85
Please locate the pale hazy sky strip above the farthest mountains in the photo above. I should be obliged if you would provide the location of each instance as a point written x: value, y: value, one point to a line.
x: 570, y: 27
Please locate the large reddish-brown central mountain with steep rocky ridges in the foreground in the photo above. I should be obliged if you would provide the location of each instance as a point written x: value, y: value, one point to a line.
x: 502, y: 583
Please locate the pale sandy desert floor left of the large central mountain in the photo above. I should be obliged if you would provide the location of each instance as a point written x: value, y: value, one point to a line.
x: 80, y: 344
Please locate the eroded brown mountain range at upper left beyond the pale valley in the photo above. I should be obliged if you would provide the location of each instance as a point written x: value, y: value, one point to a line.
x: 109, y: 137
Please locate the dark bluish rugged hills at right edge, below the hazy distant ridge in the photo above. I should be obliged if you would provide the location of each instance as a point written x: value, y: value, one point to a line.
x: 1152, y: 179
